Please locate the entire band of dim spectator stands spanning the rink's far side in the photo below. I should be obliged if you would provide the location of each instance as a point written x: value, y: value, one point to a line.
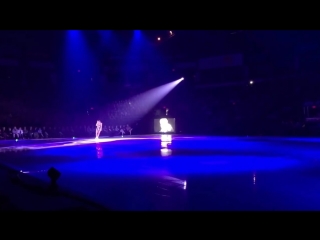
x: 228, y: 110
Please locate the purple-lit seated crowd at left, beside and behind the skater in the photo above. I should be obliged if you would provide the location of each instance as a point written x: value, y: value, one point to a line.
x: 12, y: 123
